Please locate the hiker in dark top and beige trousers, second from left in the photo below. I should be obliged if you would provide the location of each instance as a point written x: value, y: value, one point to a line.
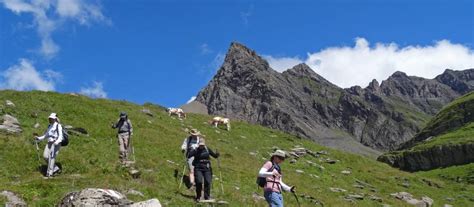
x: 124, y: 133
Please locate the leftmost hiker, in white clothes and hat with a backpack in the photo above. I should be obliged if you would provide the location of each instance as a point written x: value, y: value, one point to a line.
x: 54, y: 135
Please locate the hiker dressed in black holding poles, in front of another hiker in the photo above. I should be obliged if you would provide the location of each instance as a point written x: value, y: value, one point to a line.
x: 202, y: 169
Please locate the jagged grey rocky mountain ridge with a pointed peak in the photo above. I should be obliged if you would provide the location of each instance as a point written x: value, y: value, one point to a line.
x: 379, y: 117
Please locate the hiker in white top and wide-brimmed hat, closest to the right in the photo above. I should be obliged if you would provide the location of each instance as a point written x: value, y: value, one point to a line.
x: 274, y: 184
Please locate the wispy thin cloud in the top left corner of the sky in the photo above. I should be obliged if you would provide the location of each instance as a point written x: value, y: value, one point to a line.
x: 46, y: 22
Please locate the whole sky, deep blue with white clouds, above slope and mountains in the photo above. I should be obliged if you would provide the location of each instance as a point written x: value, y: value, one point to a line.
x: 166, y: 51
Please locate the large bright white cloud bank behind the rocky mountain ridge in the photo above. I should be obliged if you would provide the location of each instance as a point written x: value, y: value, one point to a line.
x: 358, y: 65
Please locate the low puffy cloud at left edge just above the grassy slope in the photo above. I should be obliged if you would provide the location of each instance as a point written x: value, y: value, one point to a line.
x: 24, y: 76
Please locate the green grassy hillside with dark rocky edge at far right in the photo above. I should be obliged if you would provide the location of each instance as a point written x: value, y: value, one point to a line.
x: 447, y: 140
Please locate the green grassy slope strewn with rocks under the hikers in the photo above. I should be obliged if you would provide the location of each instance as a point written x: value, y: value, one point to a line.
x: 92, y: 161
